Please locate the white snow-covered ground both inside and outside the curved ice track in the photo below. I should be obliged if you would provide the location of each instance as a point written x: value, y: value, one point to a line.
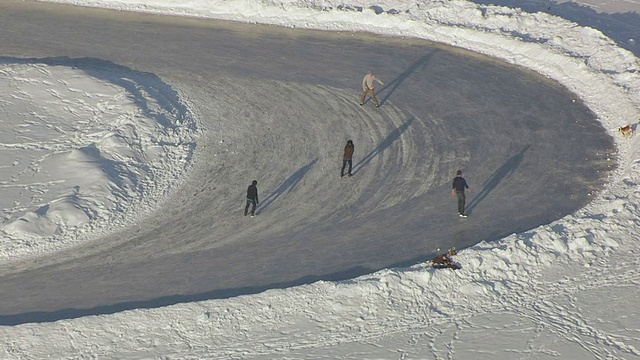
x: 563, y: 290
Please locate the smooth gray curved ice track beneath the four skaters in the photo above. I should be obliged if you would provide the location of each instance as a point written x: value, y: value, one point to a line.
x: 277, y: 105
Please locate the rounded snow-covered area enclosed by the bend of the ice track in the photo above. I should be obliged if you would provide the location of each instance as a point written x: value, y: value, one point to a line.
x: 90, y: 146
